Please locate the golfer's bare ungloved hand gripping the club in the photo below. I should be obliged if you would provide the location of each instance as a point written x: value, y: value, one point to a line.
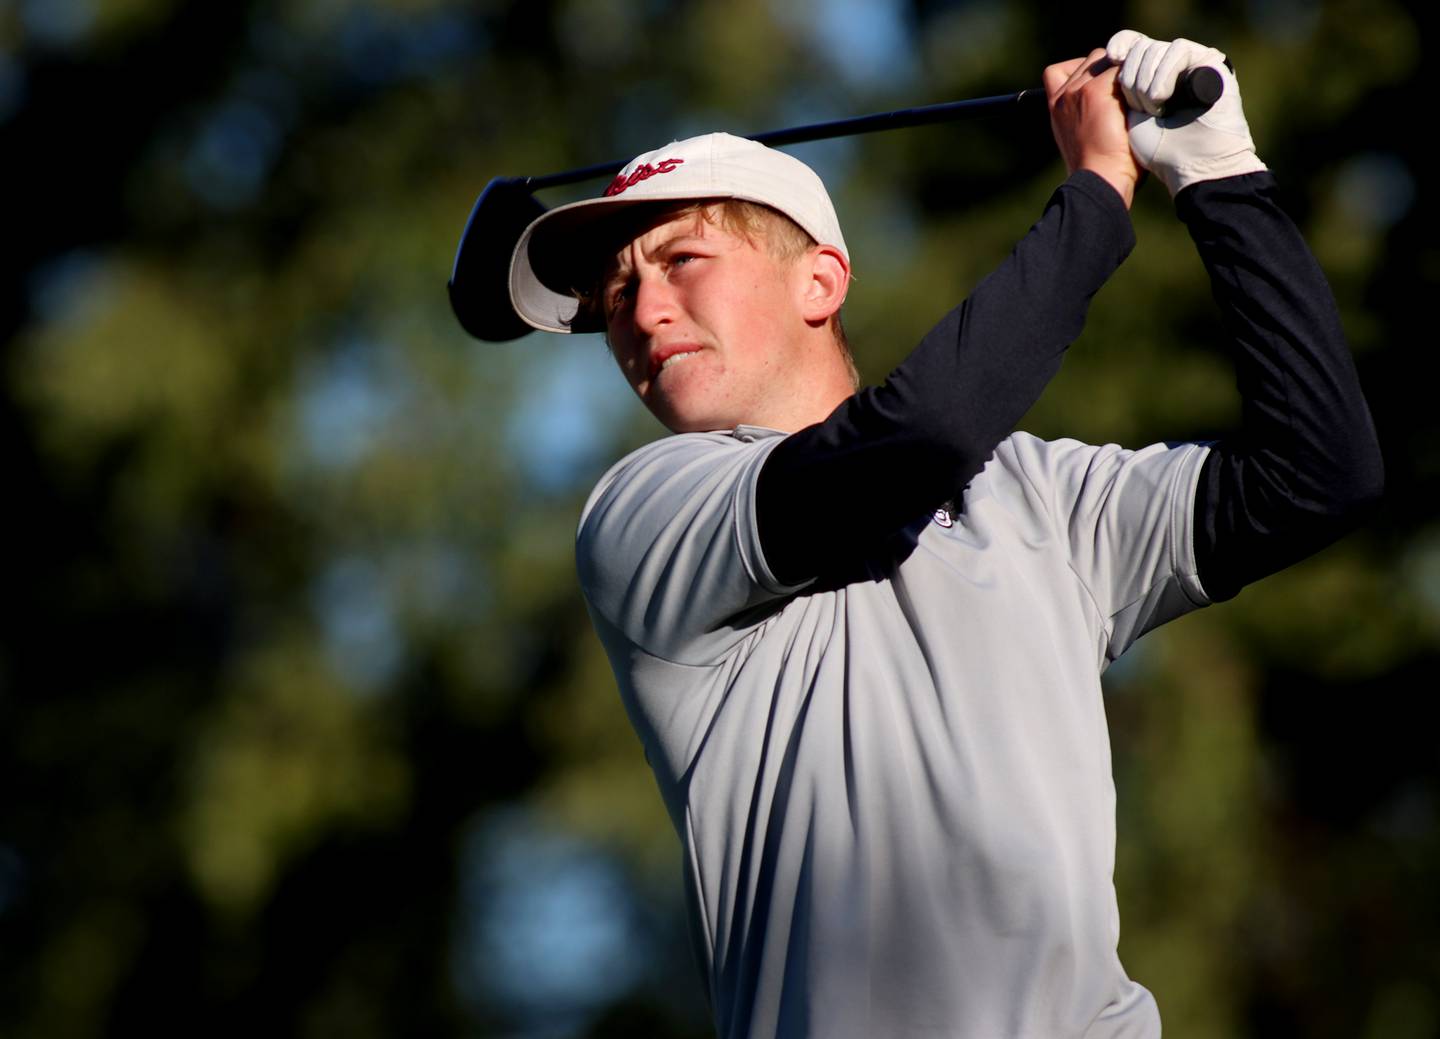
x: 1089, y: 122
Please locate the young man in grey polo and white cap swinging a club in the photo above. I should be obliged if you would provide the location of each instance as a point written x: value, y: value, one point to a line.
x: 860, y: 634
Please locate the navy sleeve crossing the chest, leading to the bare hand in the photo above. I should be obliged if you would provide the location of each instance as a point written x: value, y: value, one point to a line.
x: 898, y: 451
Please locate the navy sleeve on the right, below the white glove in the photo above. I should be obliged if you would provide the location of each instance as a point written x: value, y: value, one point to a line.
x: 1305, y: 467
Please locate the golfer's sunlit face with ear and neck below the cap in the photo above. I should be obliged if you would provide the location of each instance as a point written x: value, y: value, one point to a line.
x: 757, y: 327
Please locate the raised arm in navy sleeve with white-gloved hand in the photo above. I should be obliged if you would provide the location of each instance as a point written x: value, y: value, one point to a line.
x: 1305, y: 467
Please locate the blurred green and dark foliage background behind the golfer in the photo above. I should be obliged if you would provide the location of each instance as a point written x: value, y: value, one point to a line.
x: 293, y: 615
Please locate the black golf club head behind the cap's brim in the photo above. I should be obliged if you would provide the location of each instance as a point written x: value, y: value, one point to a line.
x: 480, y: 280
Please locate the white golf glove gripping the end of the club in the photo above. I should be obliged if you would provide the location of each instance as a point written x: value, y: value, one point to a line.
x: 1180, y: 150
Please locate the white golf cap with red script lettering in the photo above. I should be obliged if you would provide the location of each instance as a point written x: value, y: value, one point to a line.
x: 549, y: 260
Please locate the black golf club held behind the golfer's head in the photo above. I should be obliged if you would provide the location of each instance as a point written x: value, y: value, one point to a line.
x: 480, y: 278
